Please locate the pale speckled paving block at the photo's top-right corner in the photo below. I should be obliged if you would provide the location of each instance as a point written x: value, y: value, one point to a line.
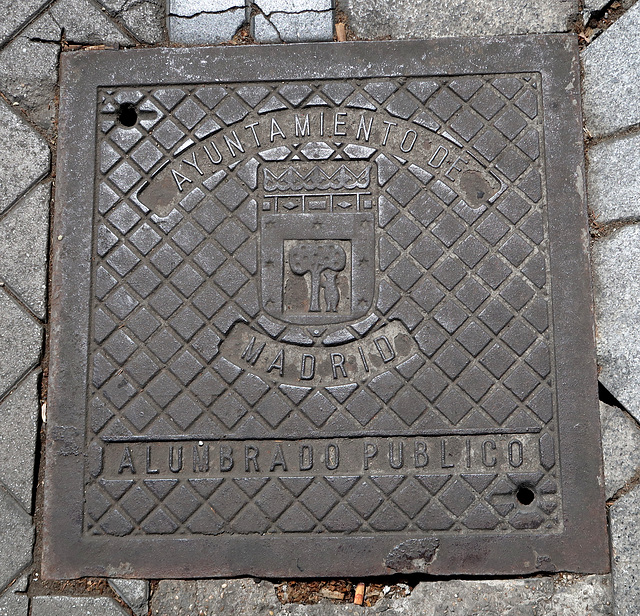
x: 611, y: 99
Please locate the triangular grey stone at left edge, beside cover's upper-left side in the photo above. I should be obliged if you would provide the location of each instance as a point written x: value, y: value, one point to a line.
x: 24, y: 156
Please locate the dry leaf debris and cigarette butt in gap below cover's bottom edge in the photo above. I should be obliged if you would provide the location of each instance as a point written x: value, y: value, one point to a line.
x: 339, y: 591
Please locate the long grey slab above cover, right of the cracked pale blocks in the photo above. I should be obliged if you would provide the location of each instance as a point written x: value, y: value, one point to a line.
x: 403, y: 19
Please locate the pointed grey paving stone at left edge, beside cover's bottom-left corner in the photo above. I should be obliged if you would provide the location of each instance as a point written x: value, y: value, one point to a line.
x: 16, y: 539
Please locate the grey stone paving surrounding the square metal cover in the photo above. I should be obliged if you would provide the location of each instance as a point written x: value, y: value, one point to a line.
x: 33, y: 34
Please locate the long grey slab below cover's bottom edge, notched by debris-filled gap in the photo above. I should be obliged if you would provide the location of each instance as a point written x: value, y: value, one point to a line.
x: 562, y: 595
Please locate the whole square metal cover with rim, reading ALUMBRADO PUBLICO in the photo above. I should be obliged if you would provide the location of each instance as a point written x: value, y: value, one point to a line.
x: 322, y: 310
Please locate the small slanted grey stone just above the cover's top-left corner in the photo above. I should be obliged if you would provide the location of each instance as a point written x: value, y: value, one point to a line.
x: 85, y: 24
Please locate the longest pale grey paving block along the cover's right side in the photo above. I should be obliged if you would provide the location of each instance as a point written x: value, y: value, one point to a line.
x: 616, y: 273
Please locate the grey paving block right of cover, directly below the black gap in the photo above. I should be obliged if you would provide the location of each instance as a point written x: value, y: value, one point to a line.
x: 620, y: 444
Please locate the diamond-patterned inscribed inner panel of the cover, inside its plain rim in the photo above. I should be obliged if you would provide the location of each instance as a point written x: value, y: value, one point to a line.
x: 322, y: 308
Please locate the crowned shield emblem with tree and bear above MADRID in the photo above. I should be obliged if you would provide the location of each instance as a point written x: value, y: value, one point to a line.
x: 317, y: 243
